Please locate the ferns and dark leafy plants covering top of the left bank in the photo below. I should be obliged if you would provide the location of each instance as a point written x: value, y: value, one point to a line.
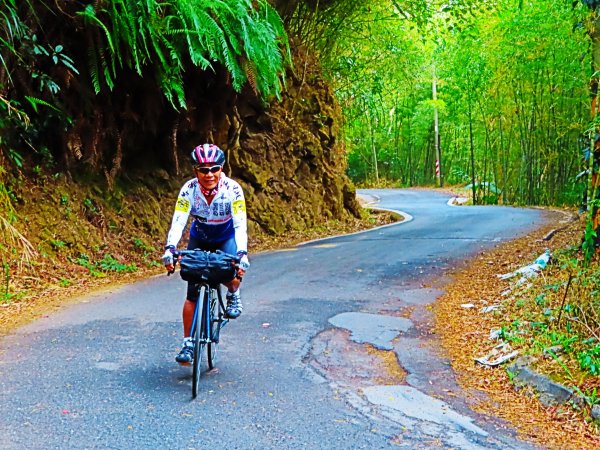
x: 156, y: 40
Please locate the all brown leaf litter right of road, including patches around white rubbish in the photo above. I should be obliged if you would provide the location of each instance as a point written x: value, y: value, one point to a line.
x: 466, y: 334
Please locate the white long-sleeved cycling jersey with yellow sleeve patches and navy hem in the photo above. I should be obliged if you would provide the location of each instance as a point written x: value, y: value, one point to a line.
x: 223, y: 219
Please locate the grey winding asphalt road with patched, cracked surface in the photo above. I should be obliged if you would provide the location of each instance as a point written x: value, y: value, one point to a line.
x: 312, y: 362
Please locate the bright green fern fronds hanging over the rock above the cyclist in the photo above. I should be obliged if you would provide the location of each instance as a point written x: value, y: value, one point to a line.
x: 245, y: 37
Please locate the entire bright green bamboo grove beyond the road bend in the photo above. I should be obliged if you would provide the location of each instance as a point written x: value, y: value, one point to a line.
x: 512, y: 82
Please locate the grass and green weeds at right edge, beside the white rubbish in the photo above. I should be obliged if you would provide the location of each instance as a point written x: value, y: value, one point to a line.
x: 563, y: 319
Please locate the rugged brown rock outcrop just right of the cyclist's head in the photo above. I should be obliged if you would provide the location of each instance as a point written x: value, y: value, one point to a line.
x: 291, y: 165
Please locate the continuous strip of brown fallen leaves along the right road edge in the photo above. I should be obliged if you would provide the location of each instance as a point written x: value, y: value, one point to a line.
x: 465, y: 336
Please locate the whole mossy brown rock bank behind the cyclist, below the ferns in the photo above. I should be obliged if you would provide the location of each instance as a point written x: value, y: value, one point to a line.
x: 287, y: 157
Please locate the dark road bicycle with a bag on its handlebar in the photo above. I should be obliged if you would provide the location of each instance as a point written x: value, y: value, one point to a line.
x: 209, y: 270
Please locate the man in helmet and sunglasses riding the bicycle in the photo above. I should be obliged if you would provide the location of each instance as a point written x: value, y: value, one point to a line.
x: 217, y: 206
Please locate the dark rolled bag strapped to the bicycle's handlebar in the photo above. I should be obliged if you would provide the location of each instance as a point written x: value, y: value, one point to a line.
x: 207, y: 267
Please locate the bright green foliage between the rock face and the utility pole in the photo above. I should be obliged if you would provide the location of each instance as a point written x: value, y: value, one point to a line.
x: 383, y: 86
